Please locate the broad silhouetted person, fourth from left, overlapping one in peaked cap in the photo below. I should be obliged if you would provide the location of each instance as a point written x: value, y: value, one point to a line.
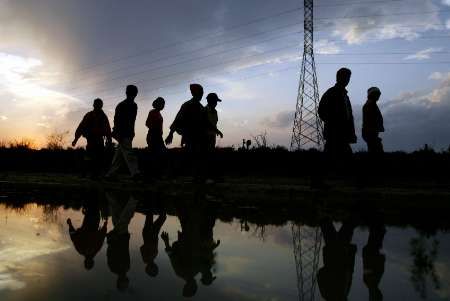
x: 191, y: 123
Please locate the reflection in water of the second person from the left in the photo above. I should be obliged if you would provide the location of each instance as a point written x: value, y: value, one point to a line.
x: 118, y: 251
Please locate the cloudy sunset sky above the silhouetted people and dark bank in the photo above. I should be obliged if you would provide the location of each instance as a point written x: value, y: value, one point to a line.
x: 57, y: 56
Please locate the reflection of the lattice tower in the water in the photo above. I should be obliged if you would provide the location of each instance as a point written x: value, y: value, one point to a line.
x: 306, y: 243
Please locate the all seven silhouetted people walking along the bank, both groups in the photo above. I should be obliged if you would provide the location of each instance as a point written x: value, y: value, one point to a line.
x: 197, y: 125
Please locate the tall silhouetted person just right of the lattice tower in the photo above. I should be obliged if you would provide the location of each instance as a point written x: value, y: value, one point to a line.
x: 335, y: 110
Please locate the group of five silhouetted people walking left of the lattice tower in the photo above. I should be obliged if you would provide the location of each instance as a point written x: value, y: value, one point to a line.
x: 197, y: 125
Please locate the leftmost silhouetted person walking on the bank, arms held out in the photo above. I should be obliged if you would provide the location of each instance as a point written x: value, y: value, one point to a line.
x: 95, y: 128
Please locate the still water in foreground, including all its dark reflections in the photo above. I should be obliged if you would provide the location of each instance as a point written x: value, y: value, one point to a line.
x: 116, y: 250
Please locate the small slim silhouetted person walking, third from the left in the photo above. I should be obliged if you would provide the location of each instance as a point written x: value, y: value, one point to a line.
x: 155, y: 139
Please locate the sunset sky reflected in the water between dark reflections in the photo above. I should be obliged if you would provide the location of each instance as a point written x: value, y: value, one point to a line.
x: 37, y: 259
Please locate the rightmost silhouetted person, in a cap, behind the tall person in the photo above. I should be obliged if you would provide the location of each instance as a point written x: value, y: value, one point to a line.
x: 372, y: 122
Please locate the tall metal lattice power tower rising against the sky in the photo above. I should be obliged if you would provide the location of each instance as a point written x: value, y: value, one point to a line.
x: 307, y: 130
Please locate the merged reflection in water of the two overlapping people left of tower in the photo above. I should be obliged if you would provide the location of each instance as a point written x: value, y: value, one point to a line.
x: 193, y: 252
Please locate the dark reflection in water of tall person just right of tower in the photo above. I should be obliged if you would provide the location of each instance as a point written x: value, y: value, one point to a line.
x: 335, y: 277
